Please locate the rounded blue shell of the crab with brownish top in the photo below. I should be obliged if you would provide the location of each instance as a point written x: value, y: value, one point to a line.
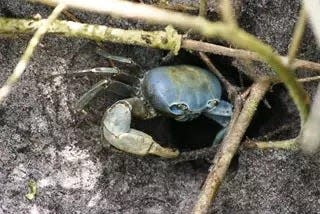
x: 182, y: 92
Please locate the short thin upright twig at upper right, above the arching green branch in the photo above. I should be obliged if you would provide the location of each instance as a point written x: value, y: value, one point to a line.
x: 297, y: 35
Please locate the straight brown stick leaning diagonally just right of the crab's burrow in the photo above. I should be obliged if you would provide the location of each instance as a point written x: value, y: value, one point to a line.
x: 229, y: 146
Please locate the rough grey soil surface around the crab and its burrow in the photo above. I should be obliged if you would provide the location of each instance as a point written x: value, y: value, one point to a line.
x: 42, y: 139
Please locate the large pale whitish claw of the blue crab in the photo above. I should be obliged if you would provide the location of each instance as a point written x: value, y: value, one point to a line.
x: 116, y: 131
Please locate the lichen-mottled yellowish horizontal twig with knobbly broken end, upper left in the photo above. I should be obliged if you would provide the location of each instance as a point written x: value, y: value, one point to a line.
x: 168, y: 39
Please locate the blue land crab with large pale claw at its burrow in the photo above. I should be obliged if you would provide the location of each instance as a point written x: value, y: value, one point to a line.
x: 182, y: 92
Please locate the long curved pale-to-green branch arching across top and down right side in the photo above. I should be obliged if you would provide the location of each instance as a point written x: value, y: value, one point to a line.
x: 235, y: 35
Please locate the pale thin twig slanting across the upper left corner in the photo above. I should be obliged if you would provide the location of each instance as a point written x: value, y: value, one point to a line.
x: 24, y: 60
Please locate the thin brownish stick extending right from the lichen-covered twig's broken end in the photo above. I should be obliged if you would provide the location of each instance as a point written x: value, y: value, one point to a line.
x: 242, y: 54
